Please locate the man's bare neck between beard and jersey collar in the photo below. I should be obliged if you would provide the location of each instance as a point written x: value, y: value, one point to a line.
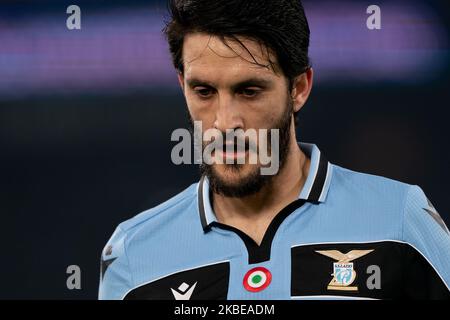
x: 253, y: 214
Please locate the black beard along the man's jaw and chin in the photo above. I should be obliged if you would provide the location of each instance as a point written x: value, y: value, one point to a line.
x: 255, y: 181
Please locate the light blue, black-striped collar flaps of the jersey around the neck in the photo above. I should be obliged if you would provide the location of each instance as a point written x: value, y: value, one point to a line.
x: 315, y: 189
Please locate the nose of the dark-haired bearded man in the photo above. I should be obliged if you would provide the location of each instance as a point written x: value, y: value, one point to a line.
x: 228, y: 114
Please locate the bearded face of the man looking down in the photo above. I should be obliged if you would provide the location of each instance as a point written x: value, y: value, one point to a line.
x: 225, y: 90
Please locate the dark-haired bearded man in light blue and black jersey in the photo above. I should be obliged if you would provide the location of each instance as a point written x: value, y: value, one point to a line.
x: 312, y: 229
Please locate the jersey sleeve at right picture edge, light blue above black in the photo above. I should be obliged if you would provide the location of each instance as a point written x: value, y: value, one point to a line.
x: 427, y: 260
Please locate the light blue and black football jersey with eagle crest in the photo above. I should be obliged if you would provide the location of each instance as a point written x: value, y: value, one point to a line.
x: 349, y: 235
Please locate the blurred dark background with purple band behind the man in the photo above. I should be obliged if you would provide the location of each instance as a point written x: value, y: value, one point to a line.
x: 86, y: 117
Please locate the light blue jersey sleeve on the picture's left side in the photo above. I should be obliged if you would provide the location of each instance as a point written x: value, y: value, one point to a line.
x: 115, y: 275
